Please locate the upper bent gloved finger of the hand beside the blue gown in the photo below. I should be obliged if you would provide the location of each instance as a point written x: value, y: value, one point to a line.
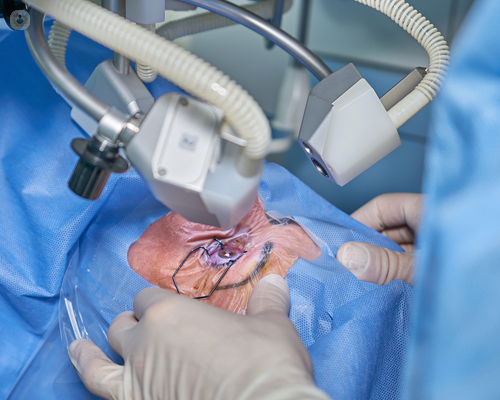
x: 391, y: 210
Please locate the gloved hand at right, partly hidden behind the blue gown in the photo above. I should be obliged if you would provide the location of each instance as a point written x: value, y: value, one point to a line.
x: 396, y: 216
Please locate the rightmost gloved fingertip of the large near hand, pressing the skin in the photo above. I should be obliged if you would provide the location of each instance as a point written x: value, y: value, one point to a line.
x: 270, y: 295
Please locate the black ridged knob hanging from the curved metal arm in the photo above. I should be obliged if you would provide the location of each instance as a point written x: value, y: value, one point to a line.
x: 97, y: 161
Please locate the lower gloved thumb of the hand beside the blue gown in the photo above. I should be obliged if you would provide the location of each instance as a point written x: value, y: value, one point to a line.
x: 375, y: 264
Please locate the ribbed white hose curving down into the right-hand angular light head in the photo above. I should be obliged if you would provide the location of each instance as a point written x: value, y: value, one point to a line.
x: 432, y: 41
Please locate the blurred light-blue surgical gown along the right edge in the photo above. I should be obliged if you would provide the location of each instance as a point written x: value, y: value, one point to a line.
x: 455, y: 350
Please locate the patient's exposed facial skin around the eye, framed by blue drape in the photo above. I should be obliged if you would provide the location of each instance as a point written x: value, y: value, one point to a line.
x: 256, y: 247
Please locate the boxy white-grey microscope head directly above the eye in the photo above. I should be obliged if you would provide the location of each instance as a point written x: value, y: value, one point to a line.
x: 189, y: 167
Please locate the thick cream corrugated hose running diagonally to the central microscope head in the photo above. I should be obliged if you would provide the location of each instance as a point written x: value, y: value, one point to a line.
x: 181, y: 67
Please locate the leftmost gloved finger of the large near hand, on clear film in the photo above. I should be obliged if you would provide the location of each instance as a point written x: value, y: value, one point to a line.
x: 99, y: 374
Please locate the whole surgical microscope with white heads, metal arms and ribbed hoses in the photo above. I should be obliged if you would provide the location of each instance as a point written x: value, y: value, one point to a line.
x: 202, y: 153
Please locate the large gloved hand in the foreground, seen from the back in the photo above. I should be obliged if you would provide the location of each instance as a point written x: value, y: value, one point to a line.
x: 178, y: 348
